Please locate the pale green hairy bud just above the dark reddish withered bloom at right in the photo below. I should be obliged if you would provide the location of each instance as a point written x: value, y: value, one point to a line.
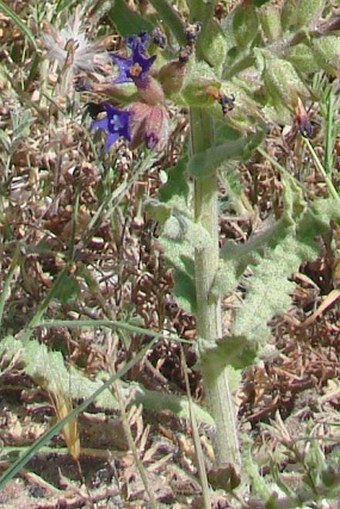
x: 282, y: 81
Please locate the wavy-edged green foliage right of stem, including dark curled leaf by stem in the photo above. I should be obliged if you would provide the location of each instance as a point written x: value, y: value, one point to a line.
x: 273, y: 256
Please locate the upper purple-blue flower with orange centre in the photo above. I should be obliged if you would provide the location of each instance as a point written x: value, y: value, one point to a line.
x: 135, y: 67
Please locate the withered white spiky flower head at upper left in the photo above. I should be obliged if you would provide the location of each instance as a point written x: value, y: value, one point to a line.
x: 71, y: 47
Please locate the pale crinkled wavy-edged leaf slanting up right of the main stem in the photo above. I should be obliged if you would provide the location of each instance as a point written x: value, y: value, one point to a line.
x: 268, y: 290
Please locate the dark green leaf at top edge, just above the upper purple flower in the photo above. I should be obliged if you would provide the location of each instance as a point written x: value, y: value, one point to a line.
x: 128, y: 21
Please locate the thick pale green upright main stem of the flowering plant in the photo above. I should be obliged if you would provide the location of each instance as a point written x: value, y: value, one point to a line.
x: 209, y: 323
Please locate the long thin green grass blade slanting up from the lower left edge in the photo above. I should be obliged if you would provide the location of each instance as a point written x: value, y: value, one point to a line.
x: 44, y: 439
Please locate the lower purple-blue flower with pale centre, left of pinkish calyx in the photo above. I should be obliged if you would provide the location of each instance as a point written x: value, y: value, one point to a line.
x: 116, y: 124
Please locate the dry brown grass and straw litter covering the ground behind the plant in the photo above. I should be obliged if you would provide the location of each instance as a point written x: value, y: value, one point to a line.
x: 66, y: 206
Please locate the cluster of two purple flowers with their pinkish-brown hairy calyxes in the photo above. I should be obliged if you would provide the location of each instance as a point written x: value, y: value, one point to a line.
x: 146, y: 119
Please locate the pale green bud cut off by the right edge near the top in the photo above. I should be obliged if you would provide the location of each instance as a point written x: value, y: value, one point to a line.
x: 327, y: 53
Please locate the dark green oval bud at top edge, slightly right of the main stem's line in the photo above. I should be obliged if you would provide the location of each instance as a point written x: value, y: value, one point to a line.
x: 245, y: 24
